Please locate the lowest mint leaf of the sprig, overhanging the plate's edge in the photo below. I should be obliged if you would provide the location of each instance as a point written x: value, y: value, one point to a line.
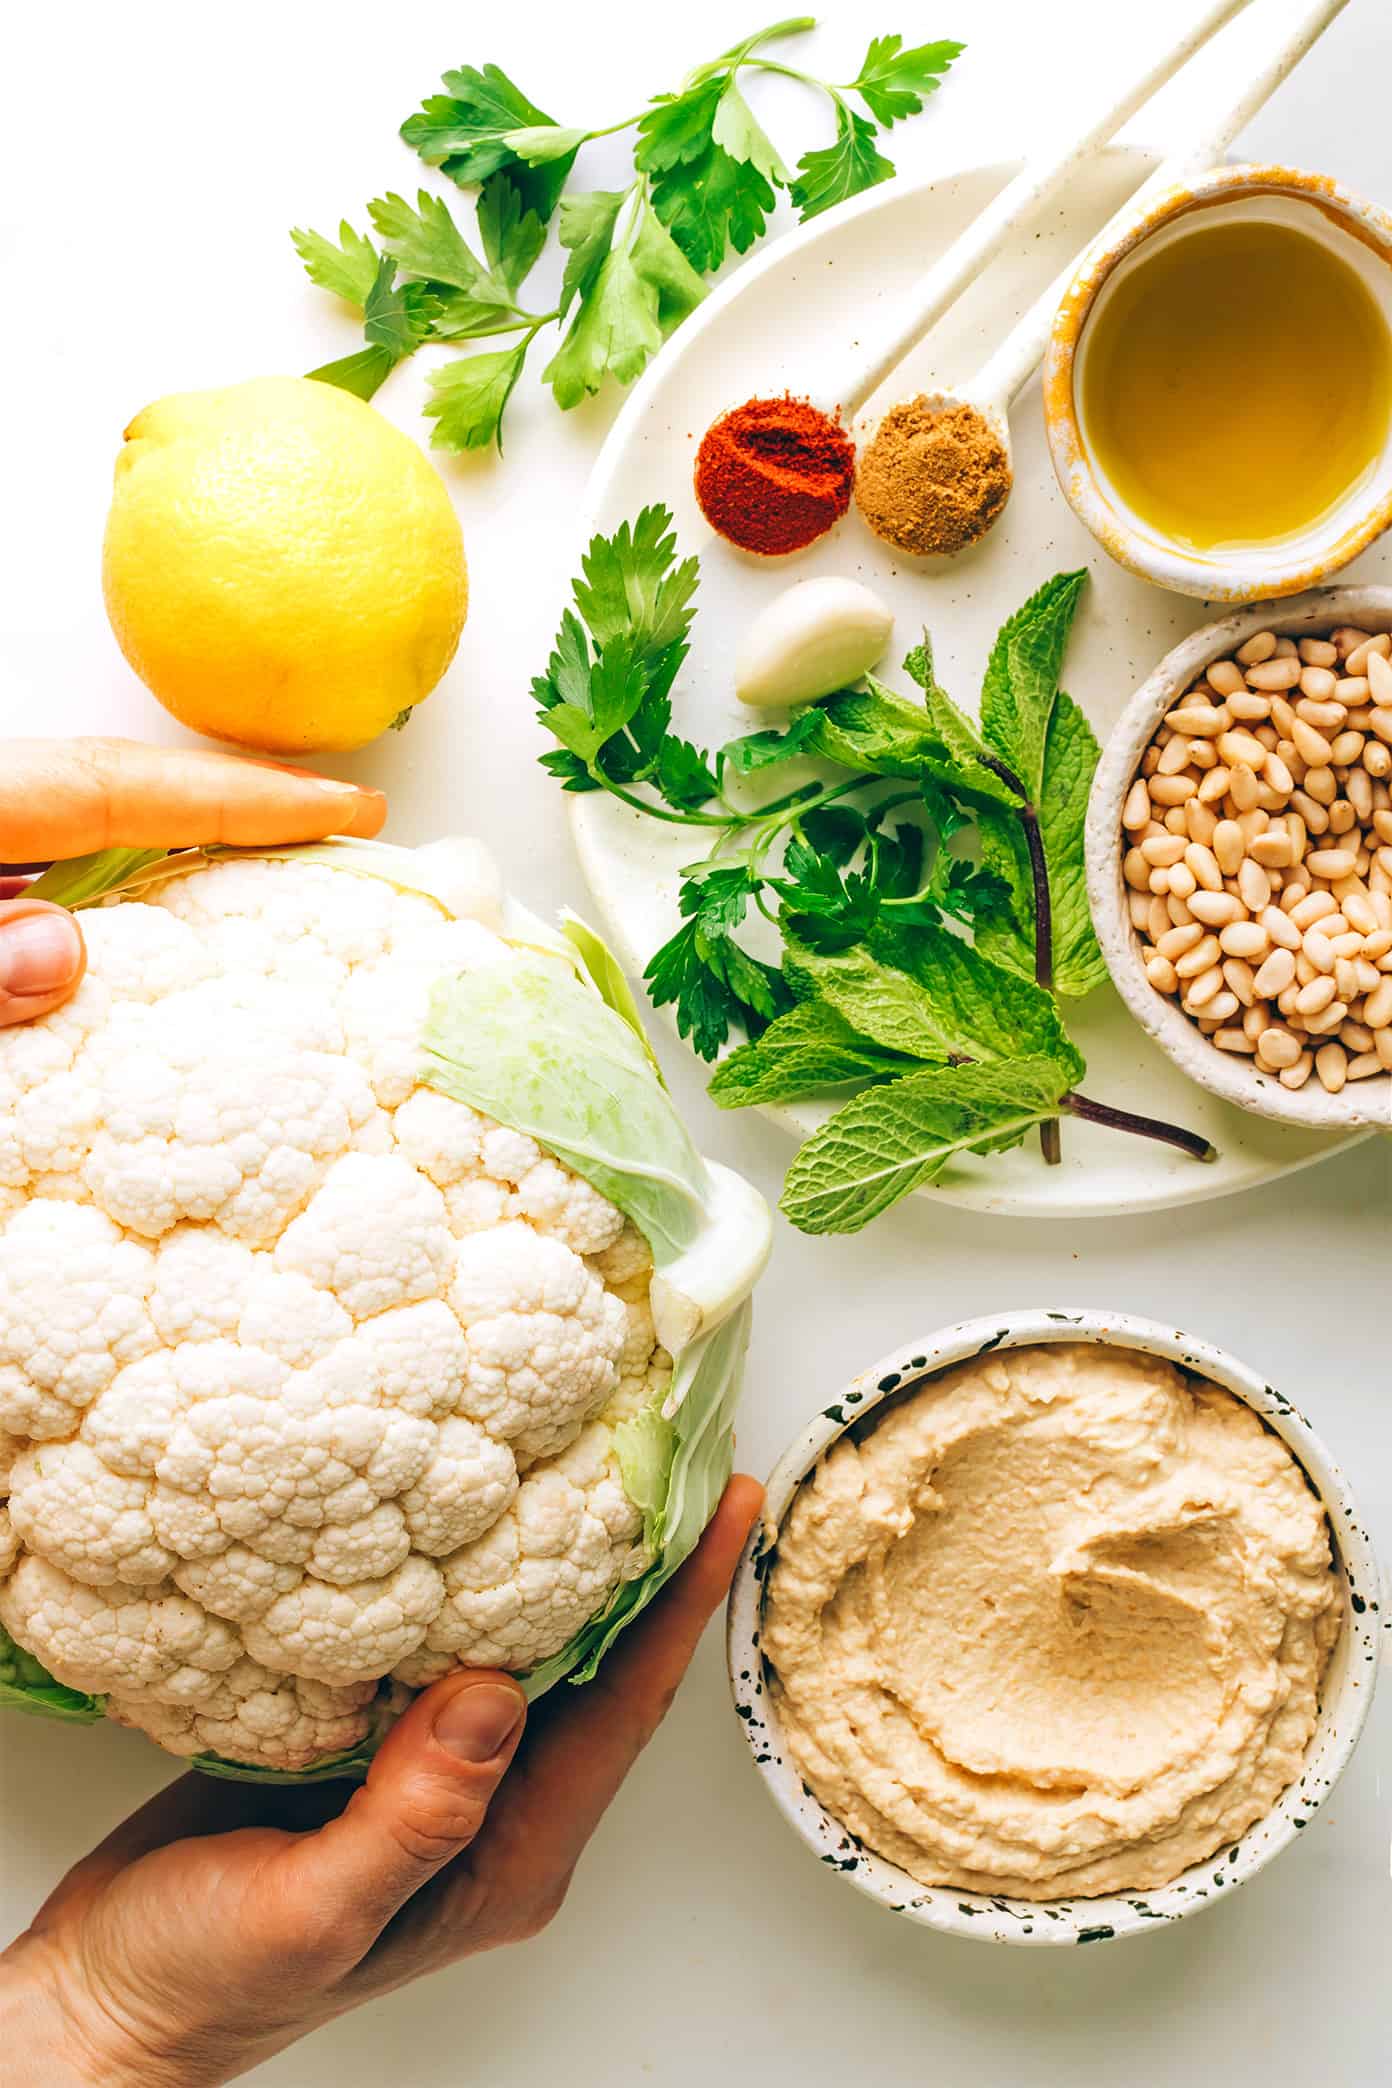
x: 898, y: 1137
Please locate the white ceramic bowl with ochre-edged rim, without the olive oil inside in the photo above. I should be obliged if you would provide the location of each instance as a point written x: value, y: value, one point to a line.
x: 1326, y: 212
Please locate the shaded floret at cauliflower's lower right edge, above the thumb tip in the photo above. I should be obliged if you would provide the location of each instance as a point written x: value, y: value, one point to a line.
x: 523, y: 1592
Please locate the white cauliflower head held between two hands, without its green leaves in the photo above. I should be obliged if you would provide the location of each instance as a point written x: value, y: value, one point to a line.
x: 316, y: 1383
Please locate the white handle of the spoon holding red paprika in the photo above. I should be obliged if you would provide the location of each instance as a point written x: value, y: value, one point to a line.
x: 1032, y: 187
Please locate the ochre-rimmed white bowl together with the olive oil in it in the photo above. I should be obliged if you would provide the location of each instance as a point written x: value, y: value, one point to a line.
x: 1220, y: 385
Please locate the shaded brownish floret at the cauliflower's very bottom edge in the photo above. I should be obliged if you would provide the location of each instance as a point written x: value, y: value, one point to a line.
x: 258, y: 1717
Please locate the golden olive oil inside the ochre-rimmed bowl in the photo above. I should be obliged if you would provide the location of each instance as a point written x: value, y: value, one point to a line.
x: 1237, y: 385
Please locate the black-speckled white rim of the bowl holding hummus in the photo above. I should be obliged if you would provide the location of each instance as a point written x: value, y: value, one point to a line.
x: 1347, y: 1696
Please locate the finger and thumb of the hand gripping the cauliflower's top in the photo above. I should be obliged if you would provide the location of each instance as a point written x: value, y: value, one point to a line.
x: 74, y: 797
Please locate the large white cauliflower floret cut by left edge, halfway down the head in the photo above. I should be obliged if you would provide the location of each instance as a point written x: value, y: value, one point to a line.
x: 72, y: 1312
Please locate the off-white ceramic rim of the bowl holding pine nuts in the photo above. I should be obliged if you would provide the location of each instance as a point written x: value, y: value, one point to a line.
x: 1226, y: 1074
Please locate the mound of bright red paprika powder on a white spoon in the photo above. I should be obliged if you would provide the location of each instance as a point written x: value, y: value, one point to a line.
x: 775, y: 475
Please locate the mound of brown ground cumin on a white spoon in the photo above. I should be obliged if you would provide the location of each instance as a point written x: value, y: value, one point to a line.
x: 934, y: 479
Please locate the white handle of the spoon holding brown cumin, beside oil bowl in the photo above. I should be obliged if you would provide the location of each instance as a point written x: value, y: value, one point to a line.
x: 1019, y: 356
